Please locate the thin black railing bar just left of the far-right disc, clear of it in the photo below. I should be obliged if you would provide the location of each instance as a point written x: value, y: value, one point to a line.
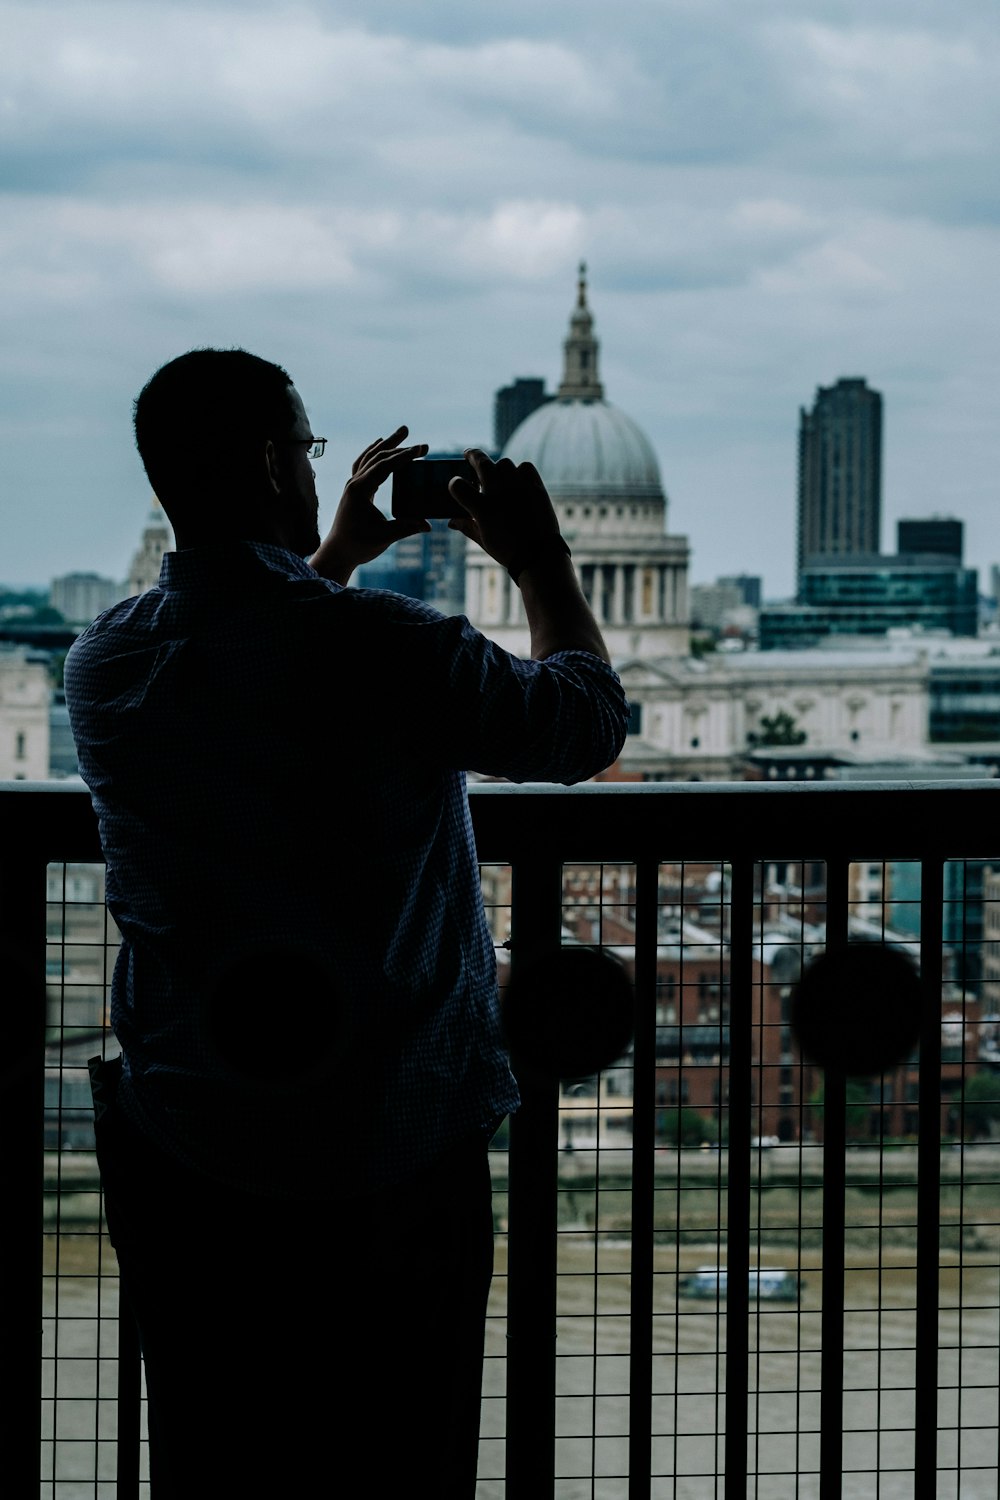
x: 741, y: 1037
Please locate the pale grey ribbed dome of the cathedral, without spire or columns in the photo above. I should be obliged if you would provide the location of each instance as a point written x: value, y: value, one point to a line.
x: 587, y: 449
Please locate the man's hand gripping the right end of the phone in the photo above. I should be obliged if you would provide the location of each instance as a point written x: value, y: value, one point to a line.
x: 510, y: 514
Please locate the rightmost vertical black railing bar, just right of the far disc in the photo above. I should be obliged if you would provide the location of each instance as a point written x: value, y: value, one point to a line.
x: 929, y: 1183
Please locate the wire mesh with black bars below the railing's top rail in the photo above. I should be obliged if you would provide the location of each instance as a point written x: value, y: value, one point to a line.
x: 755, y: 1288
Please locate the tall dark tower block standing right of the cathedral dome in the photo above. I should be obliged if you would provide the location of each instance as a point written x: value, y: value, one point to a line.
x: 840, y: 473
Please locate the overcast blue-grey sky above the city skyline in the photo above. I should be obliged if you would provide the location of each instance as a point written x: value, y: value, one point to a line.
x: 392, y: 199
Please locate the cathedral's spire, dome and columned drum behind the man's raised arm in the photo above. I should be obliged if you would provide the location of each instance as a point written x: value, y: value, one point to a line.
x: 605, y: 482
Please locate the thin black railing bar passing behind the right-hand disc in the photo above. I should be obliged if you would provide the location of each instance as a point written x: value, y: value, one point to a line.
x: 834, y: 1223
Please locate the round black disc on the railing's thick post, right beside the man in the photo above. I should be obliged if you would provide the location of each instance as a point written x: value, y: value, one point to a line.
x: 569, y: 1013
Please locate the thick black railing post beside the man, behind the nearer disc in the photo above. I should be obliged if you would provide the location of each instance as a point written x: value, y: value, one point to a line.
x: 533, y: 1219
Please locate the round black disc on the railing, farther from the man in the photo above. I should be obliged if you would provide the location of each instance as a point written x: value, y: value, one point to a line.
x: 858, y: 1010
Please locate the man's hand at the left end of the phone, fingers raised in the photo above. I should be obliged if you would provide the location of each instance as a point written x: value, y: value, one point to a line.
x: 361, y: 532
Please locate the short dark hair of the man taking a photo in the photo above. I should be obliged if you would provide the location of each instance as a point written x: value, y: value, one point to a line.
x: 209, y: 413
